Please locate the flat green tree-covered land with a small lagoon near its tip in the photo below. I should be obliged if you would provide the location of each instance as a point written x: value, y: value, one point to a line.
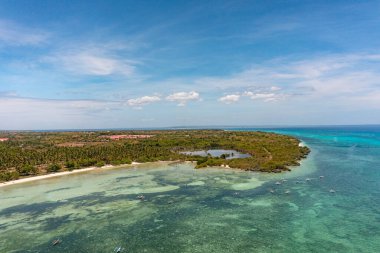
x: 25, y: 154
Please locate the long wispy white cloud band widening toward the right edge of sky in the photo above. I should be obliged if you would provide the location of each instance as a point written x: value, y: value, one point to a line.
x: 284, y: 74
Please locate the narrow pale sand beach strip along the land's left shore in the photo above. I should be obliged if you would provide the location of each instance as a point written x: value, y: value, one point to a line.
x: 64, y: 173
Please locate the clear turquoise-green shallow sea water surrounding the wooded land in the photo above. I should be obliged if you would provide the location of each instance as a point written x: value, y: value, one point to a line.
x: 211, y: 210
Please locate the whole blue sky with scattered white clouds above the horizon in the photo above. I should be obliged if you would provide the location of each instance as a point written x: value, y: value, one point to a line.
x: 142, y: 64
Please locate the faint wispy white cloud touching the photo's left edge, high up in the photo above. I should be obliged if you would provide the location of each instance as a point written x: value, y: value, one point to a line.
x: 15, y: 35
